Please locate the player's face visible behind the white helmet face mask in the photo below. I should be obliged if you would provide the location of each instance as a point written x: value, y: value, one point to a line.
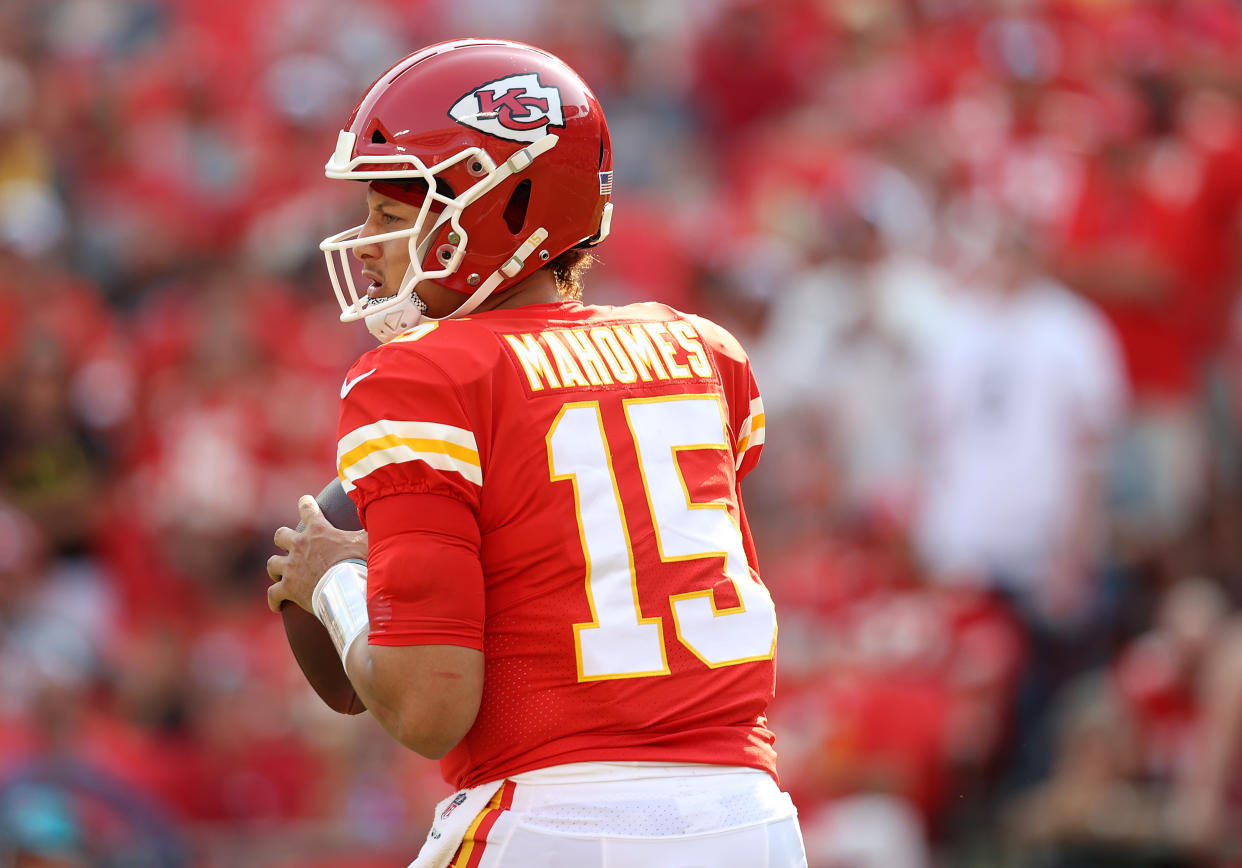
x: 386, y: 263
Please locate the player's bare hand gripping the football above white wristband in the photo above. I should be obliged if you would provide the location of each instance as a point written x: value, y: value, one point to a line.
x: 312, y: 548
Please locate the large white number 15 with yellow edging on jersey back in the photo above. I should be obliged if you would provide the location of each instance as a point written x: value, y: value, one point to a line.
x: 619, y: 643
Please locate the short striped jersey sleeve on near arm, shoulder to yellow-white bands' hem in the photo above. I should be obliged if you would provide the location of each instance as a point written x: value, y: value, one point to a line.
x: 406, y: 429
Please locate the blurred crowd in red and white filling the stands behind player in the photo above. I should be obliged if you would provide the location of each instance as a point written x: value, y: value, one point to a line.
x: 984, y: 255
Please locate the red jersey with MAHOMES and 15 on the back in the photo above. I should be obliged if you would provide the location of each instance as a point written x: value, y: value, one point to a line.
x: 601, y: 451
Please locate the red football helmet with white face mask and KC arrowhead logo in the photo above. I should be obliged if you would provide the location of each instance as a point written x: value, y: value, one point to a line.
x: 501, y: 146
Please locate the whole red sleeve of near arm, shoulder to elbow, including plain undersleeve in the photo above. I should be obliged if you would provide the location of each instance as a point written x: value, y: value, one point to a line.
x: 409, y: 459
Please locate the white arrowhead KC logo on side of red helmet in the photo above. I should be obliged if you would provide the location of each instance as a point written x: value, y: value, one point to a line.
x: 517, y: 109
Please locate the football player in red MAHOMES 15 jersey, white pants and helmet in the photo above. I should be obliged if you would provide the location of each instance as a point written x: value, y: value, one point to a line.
x: 557, y: 594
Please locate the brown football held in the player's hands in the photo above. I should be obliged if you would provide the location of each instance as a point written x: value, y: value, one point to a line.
x: 309, y: 639
